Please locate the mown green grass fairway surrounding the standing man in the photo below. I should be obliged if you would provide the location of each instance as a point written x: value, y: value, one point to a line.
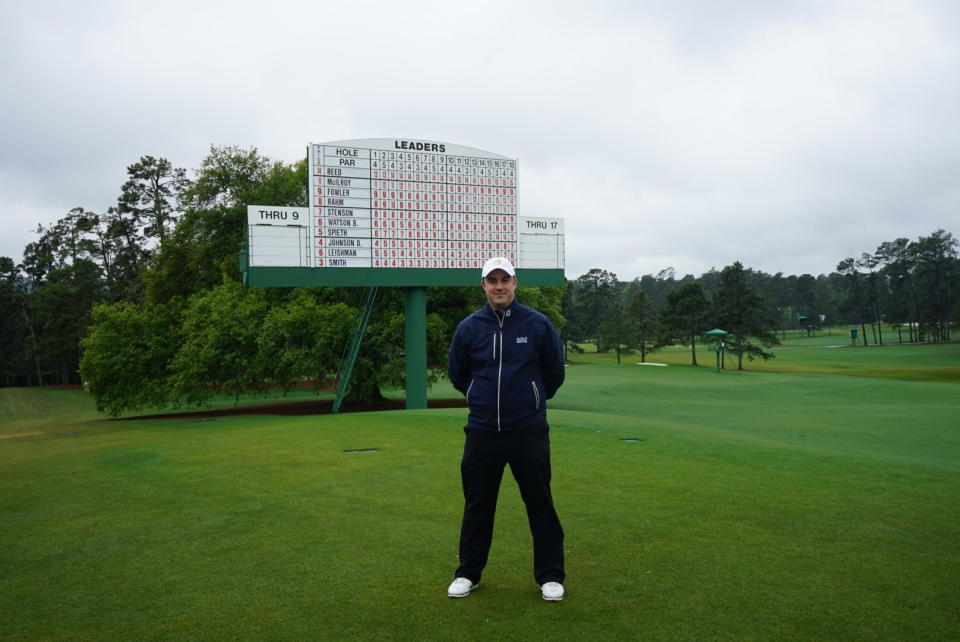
x: 799, y: 504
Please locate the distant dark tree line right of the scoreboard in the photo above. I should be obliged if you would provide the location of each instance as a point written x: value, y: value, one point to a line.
x: 910, y: 288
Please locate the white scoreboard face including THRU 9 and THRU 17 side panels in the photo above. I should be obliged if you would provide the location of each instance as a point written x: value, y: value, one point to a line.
x: 401, y: 204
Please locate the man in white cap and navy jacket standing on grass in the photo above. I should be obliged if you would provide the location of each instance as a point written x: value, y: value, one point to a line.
x: 508, y: 360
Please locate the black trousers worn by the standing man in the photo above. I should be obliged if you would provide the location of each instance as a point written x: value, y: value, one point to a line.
x: 485, y: 454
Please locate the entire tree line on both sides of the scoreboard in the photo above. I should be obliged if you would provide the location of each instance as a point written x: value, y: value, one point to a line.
x: 143, y: 303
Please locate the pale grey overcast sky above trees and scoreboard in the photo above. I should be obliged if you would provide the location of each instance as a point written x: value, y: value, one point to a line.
x: 689, y: 134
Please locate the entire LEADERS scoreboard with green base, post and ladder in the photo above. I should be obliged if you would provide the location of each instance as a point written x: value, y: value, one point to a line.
x: 396, y: 212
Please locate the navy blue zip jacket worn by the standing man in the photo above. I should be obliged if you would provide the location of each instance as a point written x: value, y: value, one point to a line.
x: 506, y: 366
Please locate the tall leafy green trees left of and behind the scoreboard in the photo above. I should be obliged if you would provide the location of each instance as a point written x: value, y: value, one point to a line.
x: 143, y: 303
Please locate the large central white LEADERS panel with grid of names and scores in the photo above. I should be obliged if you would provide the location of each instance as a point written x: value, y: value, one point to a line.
x: 392, y: 203
